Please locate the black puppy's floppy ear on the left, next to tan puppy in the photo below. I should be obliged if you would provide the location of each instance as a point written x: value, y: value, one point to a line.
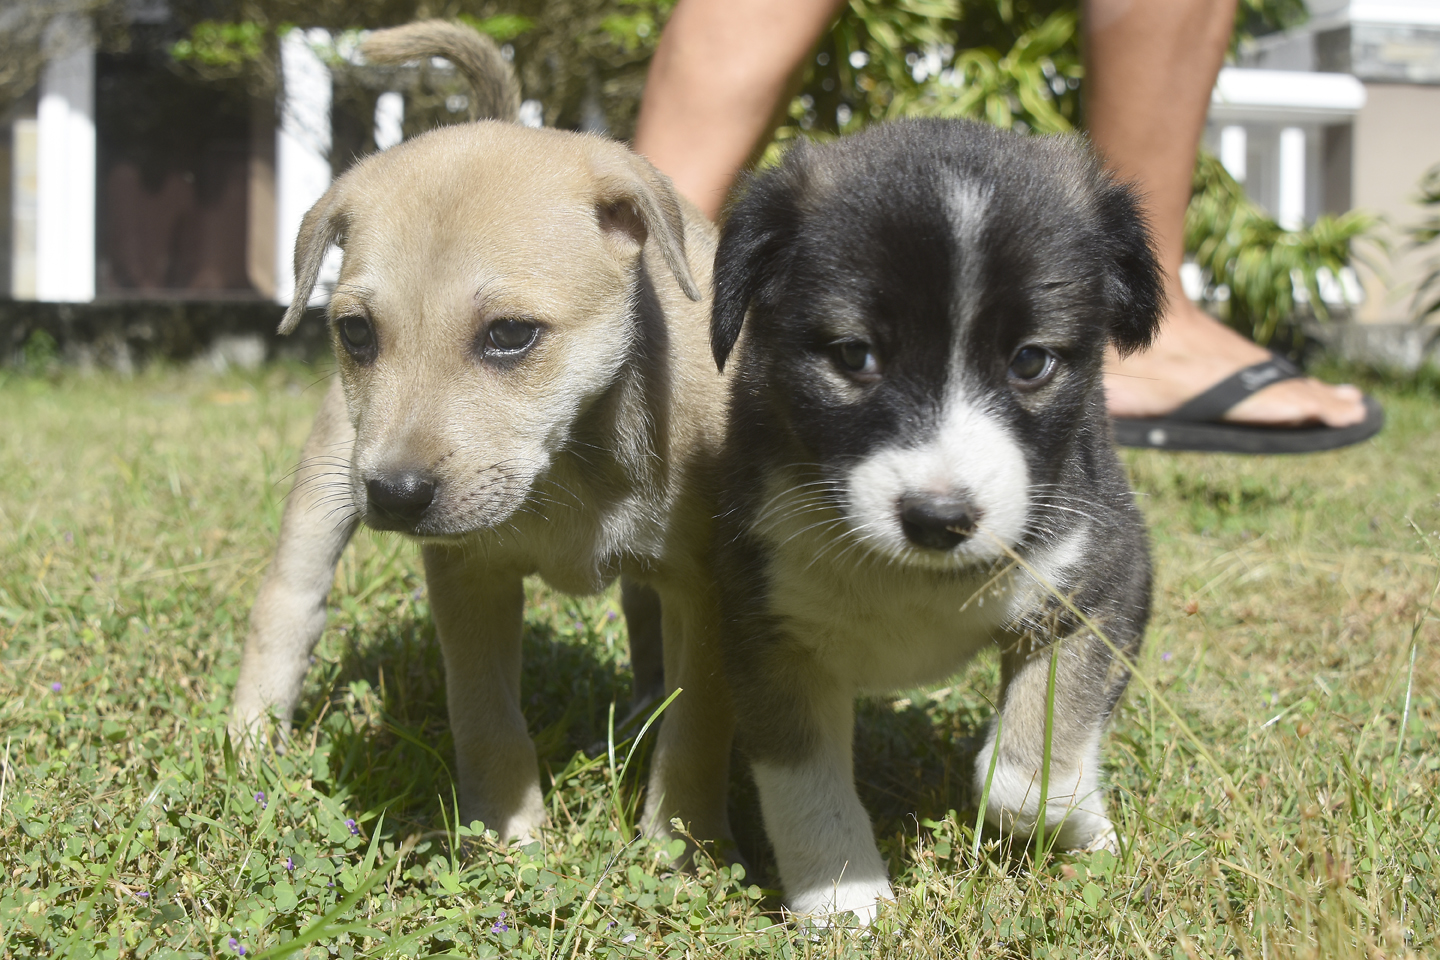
x: 752, y: 254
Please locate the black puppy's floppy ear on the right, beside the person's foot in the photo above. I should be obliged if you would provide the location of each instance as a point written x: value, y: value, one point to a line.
x: 1134, y: 280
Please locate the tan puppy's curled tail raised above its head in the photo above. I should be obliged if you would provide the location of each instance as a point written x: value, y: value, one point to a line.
x: 495, y: 91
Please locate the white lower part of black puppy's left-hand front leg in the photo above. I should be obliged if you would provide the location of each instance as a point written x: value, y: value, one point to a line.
x: 824, y: 844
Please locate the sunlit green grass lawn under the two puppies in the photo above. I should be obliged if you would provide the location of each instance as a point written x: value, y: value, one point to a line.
x: 1275, y: 768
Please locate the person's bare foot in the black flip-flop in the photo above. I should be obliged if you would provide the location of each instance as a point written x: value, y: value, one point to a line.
x: 1196, y: 352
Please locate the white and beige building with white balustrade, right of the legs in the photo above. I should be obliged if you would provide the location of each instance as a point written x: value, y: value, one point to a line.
x: 1341, y: 114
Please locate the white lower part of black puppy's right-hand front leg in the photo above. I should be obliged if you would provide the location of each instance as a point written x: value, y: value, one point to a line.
x: 1075, y: 807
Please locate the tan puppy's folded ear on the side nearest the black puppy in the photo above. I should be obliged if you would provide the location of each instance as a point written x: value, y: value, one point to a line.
x: 639, y: 202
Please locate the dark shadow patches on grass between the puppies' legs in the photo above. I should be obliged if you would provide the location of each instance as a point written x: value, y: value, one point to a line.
x: 382, y: 709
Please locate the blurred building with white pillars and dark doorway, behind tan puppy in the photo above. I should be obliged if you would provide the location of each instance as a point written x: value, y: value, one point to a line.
x: 113, y: 198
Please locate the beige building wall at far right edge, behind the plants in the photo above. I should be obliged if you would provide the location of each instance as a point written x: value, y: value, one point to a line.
x: 1396, y: 140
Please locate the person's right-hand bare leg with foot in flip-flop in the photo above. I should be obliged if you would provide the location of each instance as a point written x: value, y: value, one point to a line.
x: 1150, y: 70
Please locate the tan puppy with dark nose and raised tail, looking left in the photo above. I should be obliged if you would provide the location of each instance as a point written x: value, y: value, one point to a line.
x: 526, y: 388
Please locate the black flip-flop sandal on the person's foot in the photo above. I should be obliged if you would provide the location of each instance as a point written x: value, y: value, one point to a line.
x: 1197, y: 425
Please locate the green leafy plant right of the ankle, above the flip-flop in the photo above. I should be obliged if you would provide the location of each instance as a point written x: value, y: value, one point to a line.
x: 1246, y: 253
